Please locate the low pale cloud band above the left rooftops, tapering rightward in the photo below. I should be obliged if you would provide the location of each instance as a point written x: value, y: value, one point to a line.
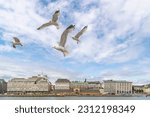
x: 18, y: 68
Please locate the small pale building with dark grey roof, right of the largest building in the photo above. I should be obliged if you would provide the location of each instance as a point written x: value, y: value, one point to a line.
x: 62, y: 84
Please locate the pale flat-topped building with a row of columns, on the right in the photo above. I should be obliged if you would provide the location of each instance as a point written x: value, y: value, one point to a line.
x: 118, y: 87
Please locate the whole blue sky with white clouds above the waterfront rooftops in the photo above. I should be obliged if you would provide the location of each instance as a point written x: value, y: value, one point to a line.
x: 115, y: 46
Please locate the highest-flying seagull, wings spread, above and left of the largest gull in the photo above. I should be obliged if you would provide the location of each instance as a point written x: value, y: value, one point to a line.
x: 52, y: 22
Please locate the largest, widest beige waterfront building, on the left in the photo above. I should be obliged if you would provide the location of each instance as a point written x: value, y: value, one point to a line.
x: 34, y: 84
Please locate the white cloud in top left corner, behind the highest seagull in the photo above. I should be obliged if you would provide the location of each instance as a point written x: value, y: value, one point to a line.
x: 21, y: 19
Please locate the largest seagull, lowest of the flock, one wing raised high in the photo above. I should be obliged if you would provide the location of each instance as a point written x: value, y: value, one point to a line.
x: 63, y: 40
